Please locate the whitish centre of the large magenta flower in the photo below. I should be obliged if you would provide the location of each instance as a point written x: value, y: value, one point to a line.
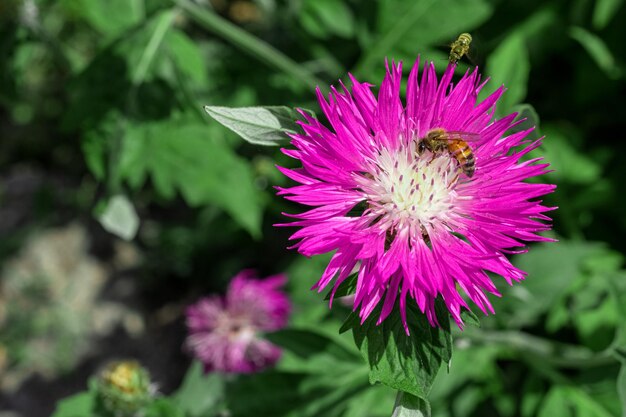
x: 407, y: 189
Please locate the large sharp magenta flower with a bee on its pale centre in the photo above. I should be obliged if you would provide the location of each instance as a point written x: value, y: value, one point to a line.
x: 416, y: 222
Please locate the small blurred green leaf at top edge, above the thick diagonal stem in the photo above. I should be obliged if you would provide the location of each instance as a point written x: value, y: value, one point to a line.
x: 323, y: 18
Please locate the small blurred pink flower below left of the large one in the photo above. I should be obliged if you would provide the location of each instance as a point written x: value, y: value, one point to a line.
x: 224, y: 332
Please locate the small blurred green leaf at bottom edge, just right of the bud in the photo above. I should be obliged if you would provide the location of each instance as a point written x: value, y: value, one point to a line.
x: 199, y: 393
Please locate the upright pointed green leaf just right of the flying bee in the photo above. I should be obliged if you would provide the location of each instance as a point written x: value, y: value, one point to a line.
x: 509, y: 65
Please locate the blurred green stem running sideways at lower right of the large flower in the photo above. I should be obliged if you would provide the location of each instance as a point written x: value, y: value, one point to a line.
x: 557, y: 354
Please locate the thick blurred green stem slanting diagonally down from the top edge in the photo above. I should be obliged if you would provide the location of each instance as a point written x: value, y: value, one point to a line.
x: 248, y: 43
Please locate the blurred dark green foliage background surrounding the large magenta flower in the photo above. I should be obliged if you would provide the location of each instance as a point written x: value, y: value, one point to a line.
x: 102, y: 128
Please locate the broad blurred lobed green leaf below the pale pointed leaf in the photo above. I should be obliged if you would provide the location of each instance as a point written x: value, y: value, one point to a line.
x: 181, y: 156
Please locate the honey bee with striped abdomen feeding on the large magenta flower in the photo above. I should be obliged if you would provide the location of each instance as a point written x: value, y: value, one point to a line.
x: 455, y: 143
